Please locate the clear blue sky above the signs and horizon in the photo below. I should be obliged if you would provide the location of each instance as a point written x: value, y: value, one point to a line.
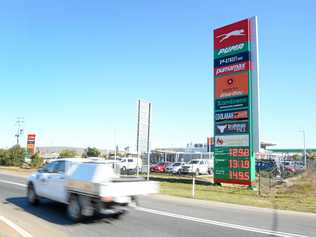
x: 75, y: 69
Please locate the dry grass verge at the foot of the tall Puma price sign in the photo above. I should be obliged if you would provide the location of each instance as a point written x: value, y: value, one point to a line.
x: 299, y: 194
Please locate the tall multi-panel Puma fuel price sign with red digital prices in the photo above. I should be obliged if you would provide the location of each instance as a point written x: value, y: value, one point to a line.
x: 236, y: 102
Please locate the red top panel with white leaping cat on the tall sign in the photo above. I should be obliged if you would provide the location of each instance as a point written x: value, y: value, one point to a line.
x: 231, y: 34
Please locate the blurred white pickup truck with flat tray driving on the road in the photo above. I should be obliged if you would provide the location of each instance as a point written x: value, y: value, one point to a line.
x: 87, y: 186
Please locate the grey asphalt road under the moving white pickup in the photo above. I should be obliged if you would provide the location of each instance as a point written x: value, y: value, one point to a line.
x: 154, y: 216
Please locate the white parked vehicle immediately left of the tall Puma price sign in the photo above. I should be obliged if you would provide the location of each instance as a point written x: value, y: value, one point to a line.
x: 197, y: 166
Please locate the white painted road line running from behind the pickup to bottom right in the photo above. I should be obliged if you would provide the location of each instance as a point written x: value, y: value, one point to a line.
x: 217, y: 223
